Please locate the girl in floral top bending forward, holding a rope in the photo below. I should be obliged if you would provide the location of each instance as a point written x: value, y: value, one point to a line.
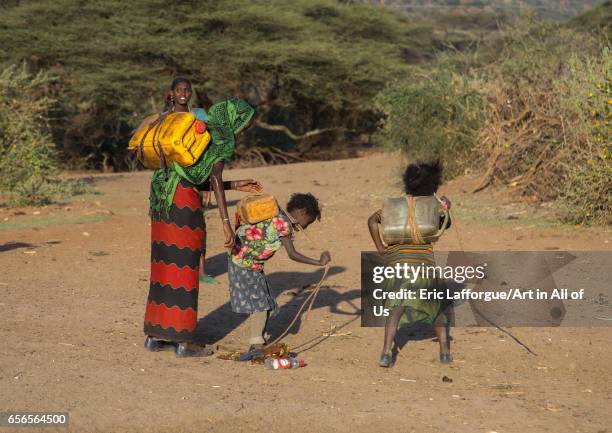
x: 257, y: 243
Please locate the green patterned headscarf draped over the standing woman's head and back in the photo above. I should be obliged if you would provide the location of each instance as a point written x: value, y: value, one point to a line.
x: 225, y: 120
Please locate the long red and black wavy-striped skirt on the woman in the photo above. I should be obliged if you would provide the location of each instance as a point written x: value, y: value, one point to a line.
x: 176, y: 246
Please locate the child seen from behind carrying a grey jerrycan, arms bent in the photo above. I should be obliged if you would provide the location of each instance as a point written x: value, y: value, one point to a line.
x: 420, y: 179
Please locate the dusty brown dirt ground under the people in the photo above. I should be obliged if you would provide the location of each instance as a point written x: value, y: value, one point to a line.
x: 74, y: 284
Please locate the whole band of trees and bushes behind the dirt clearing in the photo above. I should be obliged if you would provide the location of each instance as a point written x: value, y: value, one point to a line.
x: 524, y: 102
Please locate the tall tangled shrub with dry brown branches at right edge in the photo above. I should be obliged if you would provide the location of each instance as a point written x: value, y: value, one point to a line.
x: 547, y: 135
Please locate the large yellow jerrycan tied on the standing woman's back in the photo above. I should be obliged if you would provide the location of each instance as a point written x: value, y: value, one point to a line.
x: 171, y: 137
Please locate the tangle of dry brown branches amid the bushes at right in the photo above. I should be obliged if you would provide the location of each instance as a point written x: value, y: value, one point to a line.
x: 522, y: 140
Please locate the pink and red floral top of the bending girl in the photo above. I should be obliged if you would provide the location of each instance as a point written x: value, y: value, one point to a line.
x: 258, y: 242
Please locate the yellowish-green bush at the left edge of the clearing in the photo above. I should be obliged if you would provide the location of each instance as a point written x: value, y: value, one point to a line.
x: 28, y: 157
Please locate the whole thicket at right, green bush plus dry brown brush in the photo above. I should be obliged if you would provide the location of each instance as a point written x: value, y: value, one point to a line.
x: 545, y: 132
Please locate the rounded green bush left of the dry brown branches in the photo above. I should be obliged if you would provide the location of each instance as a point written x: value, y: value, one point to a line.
x: 437, y: 116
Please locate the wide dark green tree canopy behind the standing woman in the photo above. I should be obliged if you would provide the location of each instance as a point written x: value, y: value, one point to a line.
x: 305, y: 64
